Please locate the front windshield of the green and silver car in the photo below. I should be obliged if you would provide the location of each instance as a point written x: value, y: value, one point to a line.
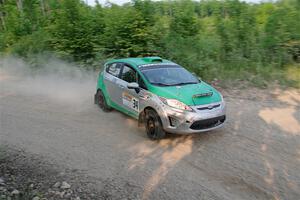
x: 171, y: 75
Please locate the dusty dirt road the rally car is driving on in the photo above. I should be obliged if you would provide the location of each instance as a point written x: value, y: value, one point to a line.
x: 255, y: 156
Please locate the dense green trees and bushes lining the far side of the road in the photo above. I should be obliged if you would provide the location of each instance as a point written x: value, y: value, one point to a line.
x: 225, y: 40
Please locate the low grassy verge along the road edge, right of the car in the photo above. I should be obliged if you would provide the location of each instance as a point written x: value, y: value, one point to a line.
x: 261, y: 77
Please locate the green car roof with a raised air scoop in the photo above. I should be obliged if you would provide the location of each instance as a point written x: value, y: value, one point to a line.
x: 137, y: 62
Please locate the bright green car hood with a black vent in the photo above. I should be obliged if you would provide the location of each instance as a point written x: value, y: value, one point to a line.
x: 191, y: 94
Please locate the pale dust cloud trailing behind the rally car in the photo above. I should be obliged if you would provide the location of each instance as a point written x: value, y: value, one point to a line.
x: 54, y: 79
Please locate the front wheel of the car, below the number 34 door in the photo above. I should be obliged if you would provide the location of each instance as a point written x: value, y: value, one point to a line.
x: 153, y: 125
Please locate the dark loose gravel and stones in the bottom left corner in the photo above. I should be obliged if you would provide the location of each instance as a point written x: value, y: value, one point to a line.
x: 28, y: 176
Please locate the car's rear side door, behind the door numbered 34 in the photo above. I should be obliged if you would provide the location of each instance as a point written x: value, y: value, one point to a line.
x: 112, y: 82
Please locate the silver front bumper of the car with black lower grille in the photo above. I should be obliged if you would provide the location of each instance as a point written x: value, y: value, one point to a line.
x: 204, y: 118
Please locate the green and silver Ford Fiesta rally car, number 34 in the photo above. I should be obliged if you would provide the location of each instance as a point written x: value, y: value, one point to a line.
x: 161, y: 94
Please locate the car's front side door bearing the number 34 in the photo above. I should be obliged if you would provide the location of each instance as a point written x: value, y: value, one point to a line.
x: 131, y: 98
